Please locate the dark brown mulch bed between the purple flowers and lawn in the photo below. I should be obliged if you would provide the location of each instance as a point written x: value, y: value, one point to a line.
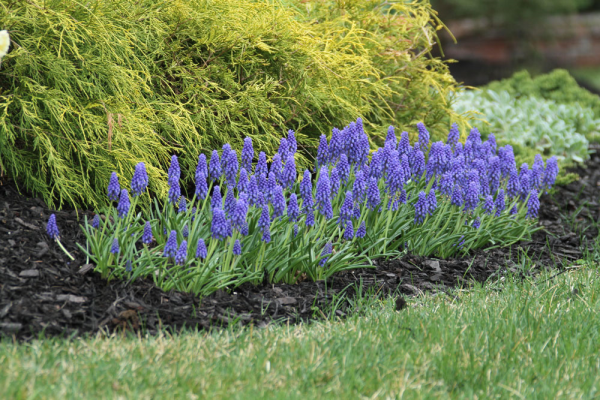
x: 41, y: 292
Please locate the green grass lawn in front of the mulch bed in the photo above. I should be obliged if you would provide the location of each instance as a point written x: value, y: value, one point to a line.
x: 533, y: 338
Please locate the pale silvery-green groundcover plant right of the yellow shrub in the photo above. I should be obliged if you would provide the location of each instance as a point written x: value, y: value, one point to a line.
x: 543, y: 125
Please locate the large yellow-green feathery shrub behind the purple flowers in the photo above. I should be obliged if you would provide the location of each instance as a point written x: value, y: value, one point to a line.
x: 98, y: 86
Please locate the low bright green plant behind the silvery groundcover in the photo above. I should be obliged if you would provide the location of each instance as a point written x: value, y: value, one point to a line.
x: 558, y: 86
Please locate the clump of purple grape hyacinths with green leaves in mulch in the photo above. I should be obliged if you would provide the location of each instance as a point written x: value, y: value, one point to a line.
x: 254, y: 221
